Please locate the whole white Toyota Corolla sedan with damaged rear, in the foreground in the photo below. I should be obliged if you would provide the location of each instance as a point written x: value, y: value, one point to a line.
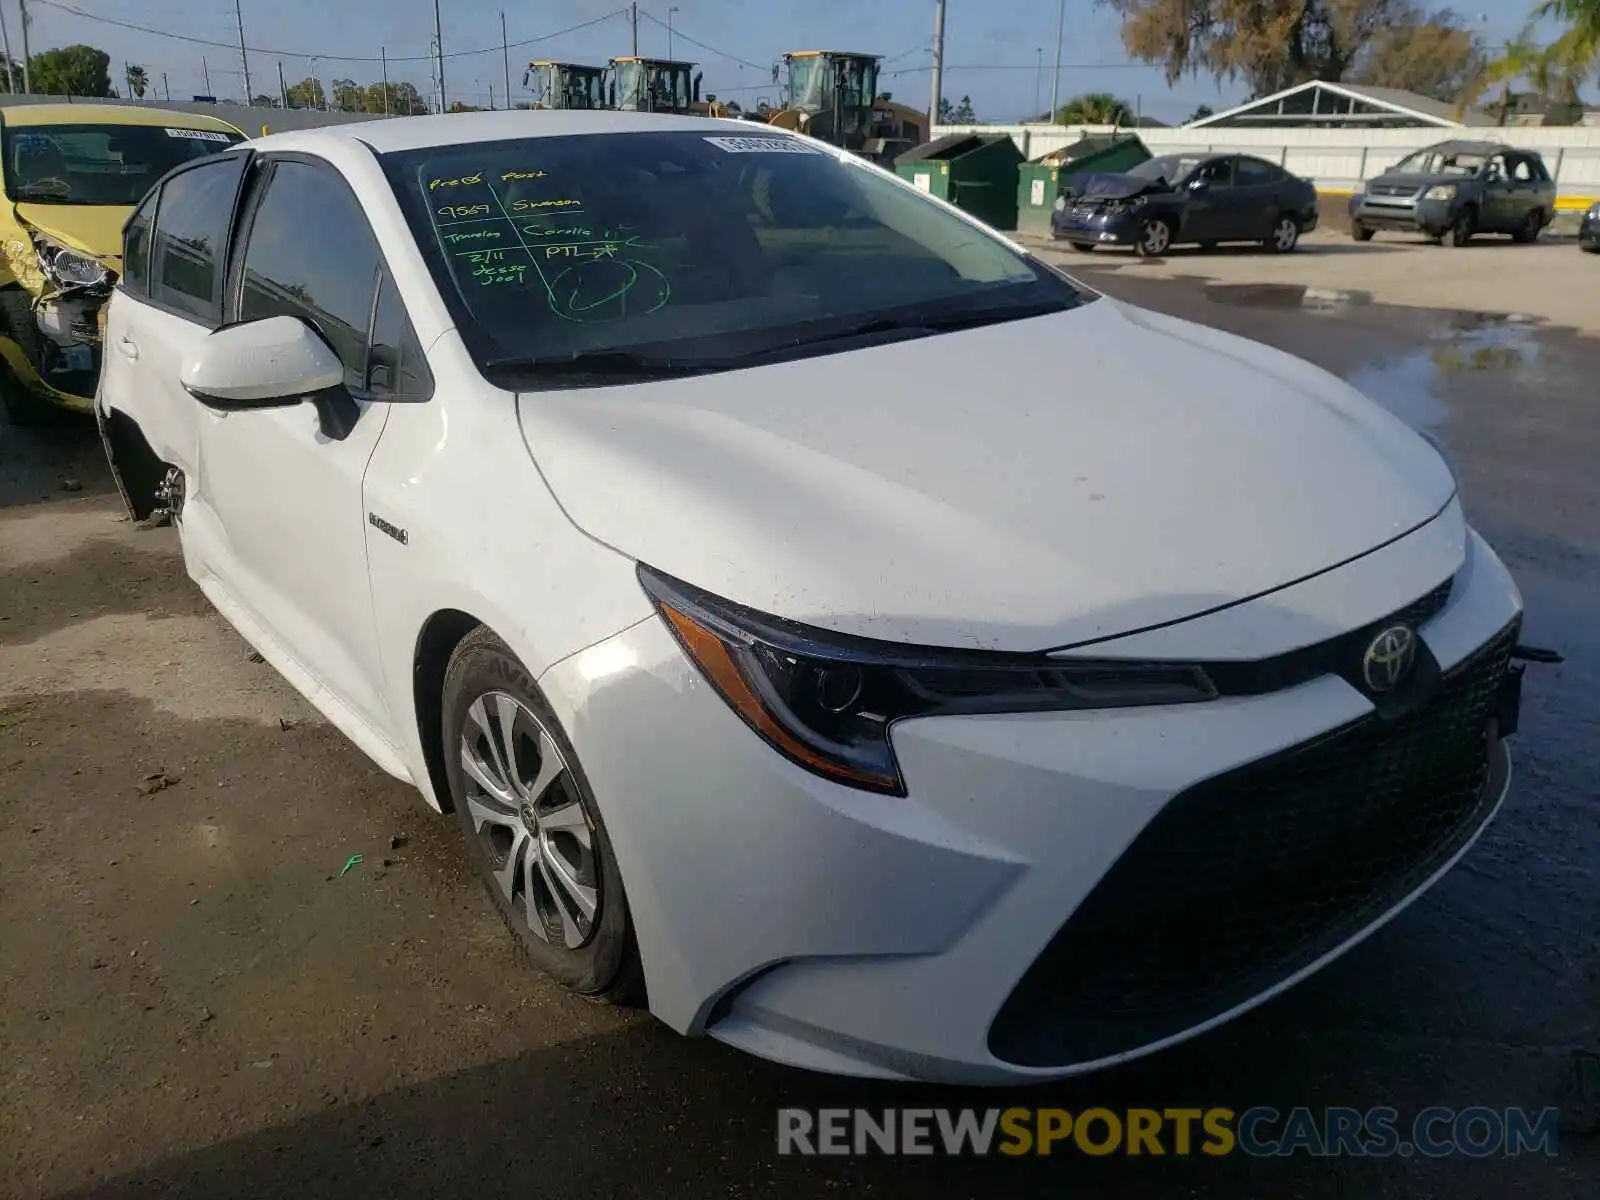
x: 822, y: 615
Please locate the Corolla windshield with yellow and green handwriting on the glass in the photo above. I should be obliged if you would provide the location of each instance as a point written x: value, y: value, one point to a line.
x: 708, y: 249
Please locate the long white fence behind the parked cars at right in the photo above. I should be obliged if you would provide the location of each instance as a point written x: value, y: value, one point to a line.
x: 1338, y: 159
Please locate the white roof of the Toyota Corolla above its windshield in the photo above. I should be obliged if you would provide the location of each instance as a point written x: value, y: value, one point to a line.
x: 460, y: 129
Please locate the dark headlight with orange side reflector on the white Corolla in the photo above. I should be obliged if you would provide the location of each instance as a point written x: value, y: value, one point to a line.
x: 826, y: 702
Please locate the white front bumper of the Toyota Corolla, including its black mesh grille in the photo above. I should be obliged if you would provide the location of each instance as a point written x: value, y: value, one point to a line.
x: 1006, y: 919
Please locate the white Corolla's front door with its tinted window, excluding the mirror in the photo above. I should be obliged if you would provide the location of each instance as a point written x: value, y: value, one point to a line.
x: 287, y: 494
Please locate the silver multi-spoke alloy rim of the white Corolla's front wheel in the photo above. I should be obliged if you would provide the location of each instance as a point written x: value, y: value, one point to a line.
x: 530, y: 820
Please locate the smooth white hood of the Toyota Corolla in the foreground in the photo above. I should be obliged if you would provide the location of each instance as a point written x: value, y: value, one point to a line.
x: 1026, y: 486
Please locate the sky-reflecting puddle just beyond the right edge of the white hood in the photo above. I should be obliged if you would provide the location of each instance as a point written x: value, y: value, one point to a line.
x: 1410, y: 385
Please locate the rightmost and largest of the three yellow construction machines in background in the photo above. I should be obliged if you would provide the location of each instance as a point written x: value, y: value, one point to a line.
x: 833, y: 95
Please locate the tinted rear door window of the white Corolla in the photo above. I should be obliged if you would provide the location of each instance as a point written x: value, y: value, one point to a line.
x: 191, y: 230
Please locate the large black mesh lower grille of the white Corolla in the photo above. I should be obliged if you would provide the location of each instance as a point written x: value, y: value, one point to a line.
x: 1255, y: 874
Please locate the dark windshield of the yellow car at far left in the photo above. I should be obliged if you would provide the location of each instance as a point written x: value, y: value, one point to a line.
x: 98, y: 164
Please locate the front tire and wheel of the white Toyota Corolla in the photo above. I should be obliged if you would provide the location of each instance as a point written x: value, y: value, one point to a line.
x: 596, y: 959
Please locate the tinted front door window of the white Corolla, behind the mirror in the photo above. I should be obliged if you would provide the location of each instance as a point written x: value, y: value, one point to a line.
x: 311, y: 254
